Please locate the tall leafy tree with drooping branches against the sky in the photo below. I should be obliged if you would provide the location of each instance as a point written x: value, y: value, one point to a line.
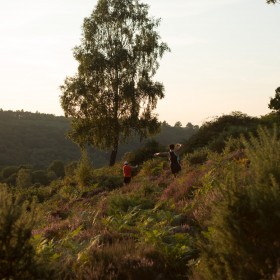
x: 113, y: 95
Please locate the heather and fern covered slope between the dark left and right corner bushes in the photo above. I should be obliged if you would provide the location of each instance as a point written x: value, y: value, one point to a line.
x: 150, y: 223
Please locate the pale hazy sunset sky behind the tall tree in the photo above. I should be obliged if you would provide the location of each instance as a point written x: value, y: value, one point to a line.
x: 225, y: 55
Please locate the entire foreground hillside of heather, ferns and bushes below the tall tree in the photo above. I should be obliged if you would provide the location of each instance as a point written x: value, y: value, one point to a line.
x: 219, y: 219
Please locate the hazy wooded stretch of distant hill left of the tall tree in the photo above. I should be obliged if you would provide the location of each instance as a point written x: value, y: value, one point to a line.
x: 34, y: 138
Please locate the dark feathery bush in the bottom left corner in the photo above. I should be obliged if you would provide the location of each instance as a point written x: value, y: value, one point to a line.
x: 17, y: 255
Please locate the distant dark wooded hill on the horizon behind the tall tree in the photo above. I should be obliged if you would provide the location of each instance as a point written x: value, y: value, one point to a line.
x: 39, y: 139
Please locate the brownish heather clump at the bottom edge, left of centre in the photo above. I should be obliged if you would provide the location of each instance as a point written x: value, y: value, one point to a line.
x: 122, y: 259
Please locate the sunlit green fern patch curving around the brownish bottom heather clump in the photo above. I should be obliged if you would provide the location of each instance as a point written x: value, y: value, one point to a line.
x: 158, y: 228
